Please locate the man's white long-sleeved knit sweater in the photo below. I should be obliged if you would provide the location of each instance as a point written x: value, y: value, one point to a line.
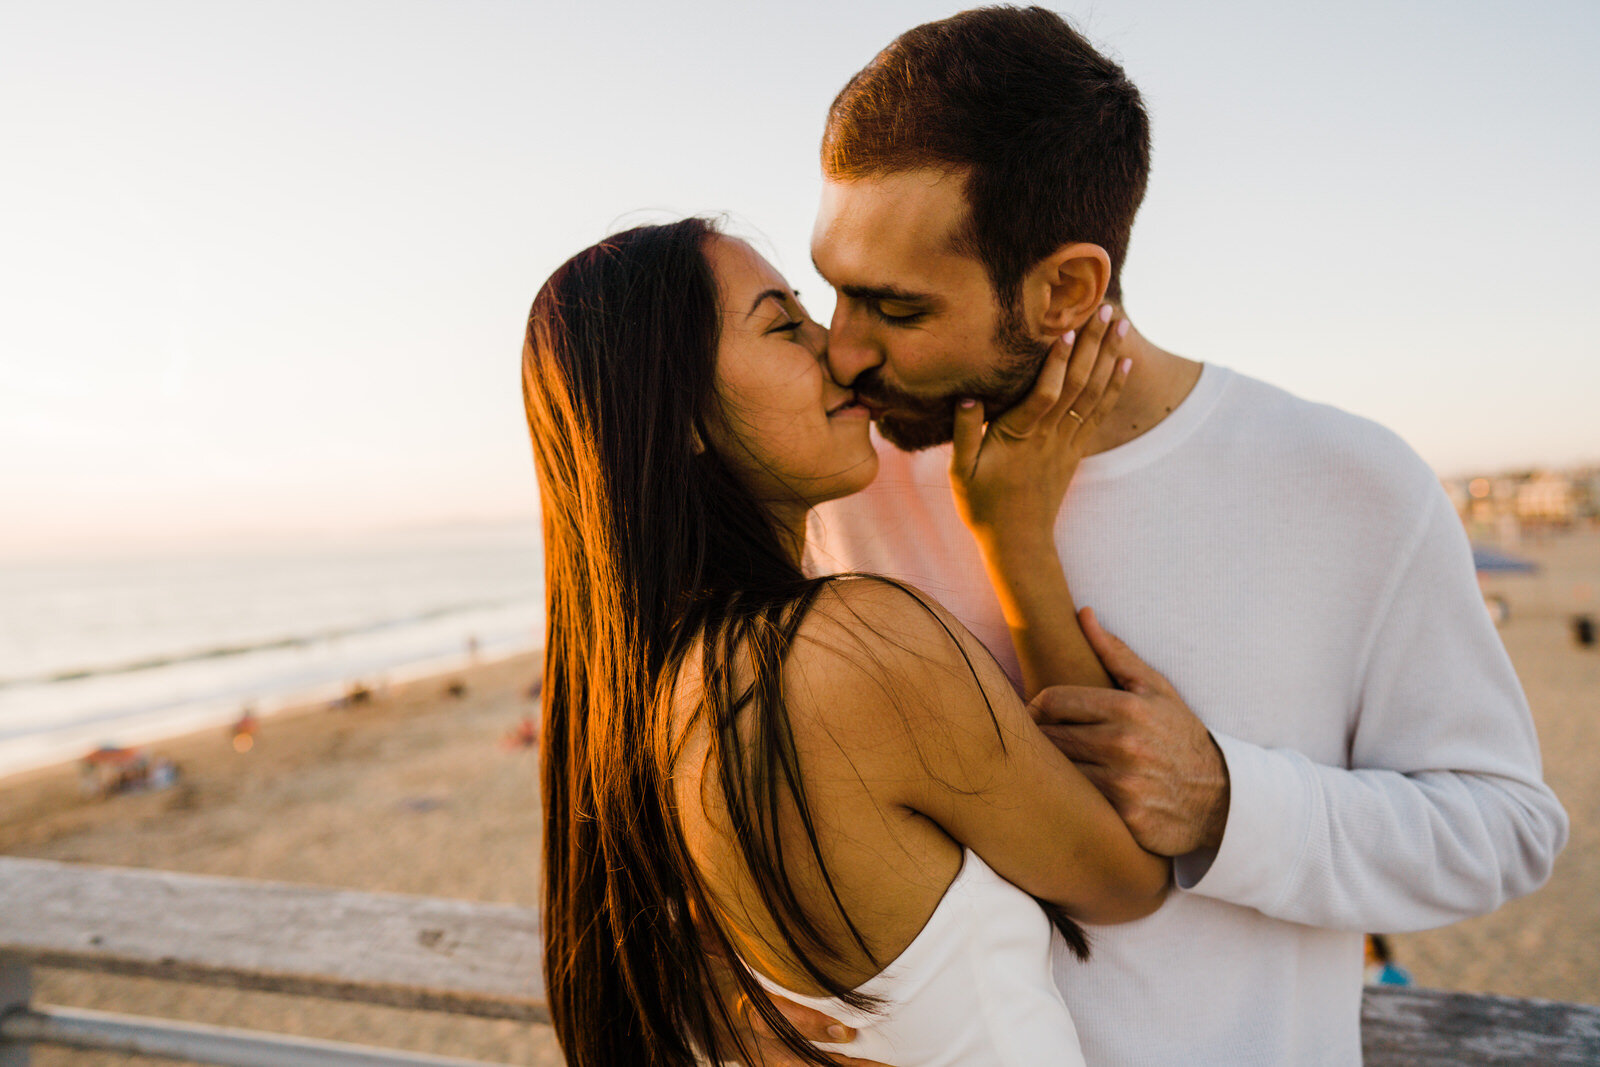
x: 1303, y: 581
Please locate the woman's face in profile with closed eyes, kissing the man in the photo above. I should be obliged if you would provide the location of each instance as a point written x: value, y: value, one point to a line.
x: 788, y: 430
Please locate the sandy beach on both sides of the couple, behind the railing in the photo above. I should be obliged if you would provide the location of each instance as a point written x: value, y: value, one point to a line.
x: 414, y: 794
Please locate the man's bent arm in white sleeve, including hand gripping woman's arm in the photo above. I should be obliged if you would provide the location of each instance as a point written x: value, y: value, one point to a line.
x: 1441, y: 817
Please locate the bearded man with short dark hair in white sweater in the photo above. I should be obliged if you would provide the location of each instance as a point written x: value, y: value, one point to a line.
x: 1351, y: 749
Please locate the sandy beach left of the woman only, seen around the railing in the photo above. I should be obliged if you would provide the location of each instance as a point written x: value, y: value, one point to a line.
x: 410, y: 793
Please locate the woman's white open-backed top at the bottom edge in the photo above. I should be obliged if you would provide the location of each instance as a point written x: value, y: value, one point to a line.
x: 975, y: 988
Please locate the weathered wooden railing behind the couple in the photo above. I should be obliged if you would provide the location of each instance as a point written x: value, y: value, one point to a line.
x: 478, y: 961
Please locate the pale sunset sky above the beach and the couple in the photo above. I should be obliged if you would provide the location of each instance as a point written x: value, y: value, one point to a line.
x: 265, y: 266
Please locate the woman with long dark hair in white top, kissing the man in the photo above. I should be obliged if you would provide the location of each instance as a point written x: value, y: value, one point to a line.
x: 826, y: 780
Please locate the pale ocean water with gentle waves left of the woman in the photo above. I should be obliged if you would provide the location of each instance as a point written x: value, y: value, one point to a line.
x: 132, y: 650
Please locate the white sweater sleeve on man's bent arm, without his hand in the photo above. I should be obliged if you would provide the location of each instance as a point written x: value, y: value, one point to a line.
x: 1442, y: 812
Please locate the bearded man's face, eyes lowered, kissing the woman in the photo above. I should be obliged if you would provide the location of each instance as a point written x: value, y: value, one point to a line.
x: 918, y: 326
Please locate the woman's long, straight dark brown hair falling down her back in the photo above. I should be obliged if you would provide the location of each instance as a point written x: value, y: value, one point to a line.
x: 654, y: 548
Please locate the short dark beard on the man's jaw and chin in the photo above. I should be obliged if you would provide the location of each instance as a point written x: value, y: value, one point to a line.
x: 913, y: 423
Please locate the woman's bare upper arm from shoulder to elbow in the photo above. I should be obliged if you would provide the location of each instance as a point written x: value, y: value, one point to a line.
x: 934, y: 725
